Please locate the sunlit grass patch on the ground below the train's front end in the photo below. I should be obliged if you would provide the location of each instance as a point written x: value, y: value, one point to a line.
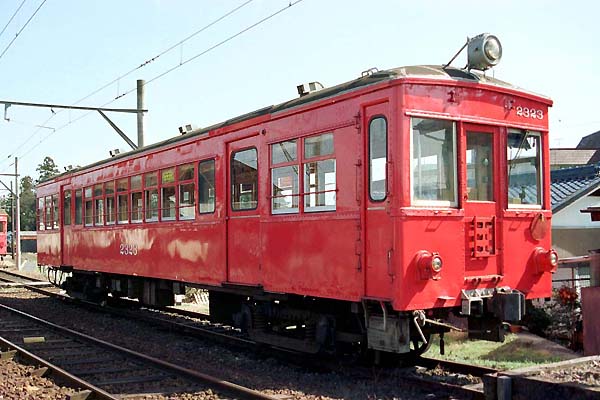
x: 513, y: 353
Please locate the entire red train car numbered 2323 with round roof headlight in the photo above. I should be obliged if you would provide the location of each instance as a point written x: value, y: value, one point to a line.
x: 357, y: 216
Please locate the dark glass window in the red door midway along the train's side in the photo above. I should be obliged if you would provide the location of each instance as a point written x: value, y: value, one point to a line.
x: 244, y: 180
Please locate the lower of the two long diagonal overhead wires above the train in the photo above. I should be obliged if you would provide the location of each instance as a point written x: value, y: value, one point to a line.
x: 155, y: 78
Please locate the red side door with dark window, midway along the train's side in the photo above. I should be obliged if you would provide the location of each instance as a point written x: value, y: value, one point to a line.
x: 243, y: 219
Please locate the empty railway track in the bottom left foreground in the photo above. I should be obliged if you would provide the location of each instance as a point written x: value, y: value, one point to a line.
x: 107, y: 370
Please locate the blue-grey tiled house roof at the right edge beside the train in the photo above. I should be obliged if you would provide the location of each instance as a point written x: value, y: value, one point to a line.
x: 571, y: 184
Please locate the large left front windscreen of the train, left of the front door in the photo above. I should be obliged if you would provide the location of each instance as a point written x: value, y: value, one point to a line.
x: 433, y: 162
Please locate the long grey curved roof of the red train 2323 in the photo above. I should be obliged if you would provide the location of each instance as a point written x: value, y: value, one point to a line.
x: 372, y: 77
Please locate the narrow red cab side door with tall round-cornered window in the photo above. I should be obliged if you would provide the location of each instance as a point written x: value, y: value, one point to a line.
x: 379, y: 232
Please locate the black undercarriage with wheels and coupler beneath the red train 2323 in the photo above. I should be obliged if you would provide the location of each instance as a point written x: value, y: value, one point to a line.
x: 369, y: 329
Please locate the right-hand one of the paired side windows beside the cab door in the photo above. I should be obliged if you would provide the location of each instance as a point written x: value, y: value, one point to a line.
x: 320, y: 174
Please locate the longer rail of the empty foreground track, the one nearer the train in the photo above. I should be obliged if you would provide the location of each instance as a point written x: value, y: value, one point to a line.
x: 190, y: 374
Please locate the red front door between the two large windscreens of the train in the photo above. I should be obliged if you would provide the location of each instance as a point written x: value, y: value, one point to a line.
x: 481, y: 202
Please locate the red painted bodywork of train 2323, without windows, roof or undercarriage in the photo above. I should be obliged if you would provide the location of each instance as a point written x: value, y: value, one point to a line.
x: 363, y: 248
